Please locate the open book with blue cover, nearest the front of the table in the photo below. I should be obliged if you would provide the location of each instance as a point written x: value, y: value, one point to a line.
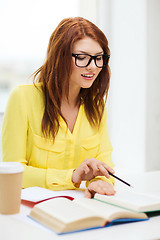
x: 63, y: 215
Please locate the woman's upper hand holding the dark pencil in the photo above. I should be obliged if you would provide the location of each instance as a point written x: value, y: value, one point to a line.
x: 89, y: 169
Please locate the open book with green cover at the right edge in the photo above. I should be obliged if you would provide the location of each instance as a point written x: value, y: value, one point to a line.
x: 132, y: 200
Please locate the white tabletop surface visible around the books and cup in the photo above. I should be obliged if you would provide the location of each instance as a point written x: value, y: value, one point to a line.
x: 19, y: 226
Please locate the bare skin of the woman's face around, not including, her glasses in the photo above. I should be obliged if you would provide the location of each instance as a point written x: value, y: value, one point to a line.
x: 84, y: 77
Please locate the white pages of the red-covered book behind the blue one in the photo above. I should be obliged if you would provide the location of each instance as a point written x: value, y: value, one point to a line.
x: 37, y: 194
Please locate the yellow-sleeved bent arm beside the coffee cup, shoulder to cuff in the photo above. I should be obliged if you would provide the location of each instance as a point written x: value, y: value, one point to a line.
x: 16, y: 144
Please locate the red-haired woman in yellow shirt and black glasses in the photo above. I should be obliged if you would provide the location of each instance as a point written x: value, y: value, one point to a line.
x: 57, y: 127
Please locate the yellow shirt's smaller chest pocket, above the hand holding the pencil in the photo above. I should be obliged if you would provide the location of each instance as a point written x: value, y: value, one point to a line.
x: 90, y: 146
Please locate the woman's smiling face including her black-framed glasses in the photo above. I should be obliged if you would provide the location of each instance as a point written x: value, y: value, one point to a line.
x: 85, y: 70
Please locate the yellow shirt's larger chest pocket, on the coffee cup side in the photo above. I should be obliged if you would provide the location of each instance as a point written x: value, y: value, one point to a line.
x: 46, y: 153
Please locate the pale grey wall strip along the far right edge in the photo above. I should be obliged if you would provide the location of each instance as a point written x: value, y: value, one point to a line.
x: 153, y: 86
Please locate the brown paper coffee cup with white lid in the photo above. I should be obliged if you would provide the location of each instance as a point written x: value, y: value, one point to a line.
x: 10, y: 187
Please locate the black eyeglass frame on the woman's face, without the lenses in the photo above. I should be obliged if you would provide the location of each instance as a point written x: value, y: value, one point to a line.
x: 91, y: 57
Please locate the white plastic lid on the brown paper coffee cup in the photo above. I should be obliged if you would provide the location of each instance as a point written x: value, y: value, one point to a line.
x: 11, y: 167
